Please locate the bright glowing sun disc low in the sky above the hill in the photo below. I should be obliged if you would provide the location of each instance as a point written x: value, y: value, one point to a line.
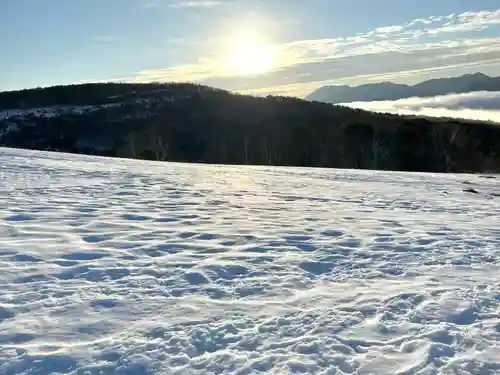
x: 251, y: 58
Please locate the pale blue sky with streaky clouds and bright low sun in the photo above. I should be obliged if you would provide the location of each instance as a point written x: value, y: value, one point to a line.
x: 286, y: 47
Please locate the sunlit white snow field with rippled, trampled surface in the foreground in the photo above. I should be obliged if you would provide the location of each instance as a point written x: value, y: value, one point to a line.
x: 127, y: 267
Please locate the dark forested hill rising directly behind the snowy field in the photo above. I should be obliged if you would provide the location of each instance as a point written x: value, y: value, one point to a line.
x: 192, y: 123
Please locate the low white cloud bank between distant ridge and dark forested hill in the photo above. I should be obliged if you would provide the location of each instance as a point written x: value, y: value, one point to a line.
x: 481, y: 105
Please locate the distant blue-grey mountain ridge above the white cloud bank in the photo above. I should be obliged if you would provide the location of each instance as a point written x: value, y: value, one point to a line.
x: 395, y: 91
